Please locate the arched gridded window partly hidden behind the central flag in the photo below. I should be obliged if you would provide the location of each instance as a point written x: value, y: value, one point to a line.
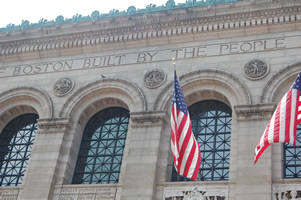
x: 211, y: 124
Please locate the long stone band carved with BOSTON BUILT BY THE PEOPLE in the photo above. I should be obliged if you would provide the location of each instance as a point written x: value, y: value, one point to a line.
x: 149, y: 56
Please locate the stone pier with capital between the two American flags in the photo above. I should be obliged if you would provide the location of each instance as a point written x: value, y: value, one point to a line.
x: 252, y: 181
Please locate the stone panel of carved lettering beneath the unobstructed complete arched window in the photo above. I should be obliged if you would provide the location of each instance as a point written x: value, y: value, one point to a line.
x: 88, y: 194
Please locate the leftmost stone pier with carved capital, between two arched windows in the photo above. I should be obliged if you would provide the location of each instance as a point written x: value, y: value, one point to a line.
x: 40, y: 174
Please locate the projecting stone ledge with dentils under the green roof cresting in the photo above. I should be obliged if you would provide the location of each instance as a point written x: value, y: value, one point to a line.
x: 195, y: 24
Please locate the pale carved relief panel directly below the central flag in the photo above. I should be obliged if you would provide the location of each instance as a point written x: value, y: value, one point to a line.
x: 196, y: 193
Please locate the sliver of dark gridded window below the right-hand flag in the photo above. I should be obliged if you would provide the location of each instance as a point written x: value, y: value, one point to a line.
x: 292, y: 157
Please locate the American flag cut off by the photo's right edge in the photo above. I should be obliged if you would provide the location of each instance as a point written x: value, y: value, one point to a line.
x: 283, y: 124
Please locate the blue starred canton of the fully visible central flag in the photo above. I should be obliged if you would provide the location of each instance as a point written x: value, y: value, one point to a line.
x: 178, y: 97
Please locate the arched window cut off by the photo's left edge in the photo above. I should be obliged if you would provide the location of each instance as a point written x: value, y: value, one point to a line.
x: 16, y: 142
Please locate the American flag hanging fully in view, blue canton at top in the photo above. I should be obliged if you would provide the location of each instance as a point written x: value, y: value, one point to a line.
x: 184, y: 146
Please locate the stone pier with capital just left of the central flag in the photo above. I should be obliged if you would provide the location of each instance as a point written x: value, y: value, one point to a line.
x: 145, y: 133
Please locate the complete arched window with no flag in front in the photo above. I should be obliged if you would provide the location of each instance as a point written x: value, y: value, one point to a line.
x: 100, y: 155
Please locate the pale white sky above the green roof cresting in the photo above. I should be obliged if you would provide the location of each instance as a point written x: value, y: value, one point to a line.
x: 14, y: 11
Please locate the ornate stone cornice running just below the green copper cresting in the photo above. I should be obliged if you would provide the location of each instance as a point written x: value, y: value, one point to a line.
x: 197, y: 21
